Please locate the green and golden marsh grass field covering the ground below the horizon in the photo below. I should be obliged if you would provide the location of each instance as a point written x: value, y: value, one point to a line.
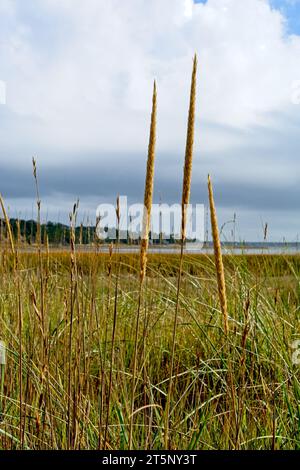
x: 66, y: 365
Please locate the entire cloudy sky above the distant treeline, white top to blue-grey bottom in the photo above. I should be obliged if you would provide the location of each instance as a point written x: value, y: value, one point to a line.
x: 79, y: 77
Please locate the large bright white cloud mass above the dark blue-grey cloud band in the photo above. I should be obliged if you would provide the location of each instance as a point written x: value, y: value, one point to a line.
x: 79, y: 80
